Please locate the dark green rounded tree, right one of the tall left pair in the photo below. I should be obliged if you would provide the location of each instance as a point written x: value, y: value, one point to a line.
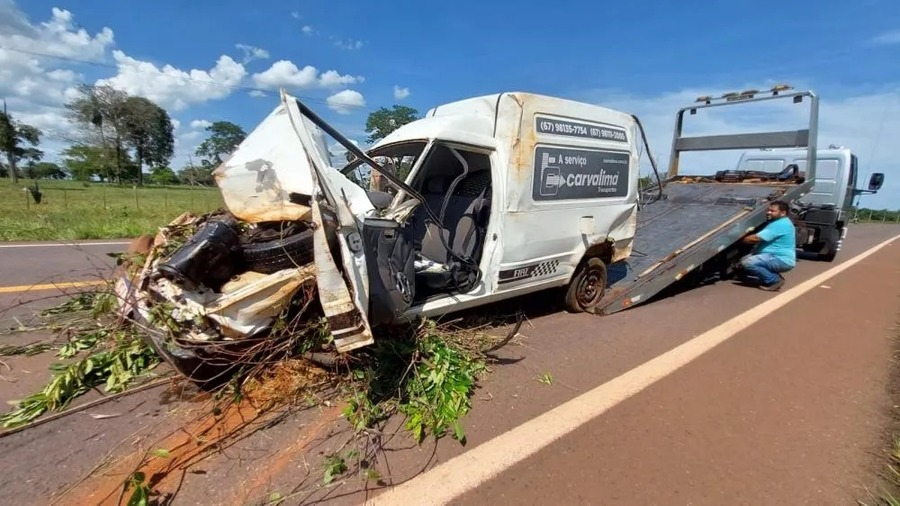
x: 148, y: 129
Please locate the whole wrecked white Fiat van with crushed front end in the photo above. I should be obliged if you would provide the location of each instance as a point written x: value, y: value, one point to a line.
x: 506, y: 194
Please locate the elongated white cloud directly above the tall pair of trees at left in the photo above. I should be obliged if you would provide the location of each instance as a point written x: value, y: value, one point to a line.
x: 174, y: 88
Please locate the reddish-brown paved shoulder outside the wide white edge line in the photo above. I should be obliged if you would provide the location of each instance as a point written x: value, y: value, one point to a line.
x: 788, y: 411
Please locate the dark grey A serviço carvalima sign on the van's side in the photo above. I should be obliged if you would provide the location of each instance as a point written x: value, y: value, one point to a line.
x: 575, y: 173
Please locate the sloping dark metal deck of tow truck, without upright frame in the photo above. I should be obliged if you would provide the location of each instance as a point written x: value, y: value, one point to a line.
x: 697, y: 219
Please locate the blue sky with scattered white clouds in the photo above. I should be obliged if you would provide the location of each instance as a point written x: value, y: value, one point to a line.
x: 649, y: 58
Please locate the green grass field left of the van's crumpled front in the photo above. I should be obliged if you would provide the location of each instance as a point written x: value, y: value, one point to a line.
x: 72, y: 210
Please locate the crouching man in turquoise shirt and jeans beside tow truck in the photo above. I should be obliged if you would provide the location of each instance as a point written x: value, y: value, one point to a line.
x: 775, y: 249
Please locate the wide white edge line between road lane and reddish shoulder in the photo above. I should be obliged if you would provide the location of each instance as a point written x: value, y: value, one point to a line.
x: 467, y: 471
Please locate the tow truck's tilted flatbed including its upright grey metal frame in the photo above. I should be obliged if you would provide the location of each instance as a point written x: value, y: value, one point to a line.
x: 695, y: 218
